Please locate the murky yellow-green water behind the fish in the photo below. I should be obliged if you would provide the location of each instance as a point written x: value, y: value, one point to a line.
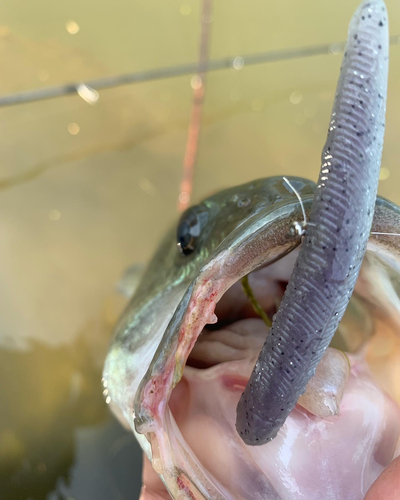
x: 85, y: 191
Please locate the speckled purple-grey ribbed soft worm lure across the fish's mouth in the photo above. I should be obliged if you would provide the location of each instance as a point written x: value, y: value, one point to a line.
x: 336, y: 236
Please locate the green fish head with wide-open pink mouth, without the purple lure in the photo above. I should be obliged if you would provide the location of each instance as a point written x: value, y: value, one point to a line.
x: 178, y: 388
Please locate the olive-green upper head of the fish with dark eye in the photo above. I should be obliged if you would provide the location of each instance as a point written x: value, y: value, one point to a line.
x: 147, y: 330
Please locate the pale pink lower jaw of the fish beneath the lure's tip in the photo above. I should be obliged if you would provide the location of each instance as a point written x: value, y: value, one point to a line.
x: 198, y: 446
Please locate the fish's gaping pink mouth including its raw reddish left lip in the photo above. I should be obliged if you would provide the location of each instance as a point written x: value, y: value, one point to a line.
x: 363, y: 426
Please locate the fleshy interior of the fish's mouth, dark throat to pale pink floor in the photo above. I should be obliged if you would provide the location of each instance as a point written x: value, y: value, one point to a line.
x: 201, y: 414
